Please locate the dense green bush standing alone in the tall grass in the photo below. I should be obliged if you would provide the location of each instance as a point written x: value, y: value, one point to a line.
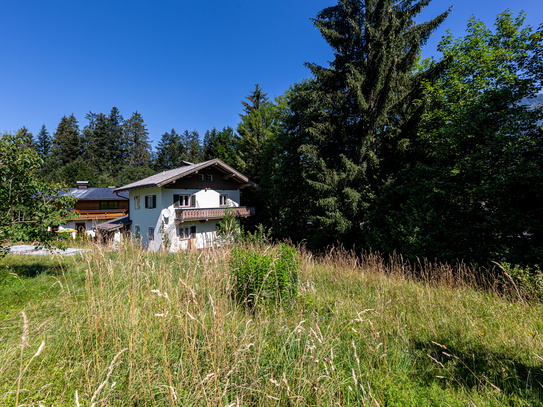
x: 270, y: 276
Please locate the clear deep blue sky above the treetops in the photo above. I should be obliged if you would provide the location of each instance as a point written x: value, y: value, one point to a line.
x: 181, y: 64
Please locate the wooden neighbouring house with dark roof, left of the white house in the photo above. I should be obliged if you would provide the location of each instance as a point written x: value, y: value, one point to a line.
x: 96, y: 206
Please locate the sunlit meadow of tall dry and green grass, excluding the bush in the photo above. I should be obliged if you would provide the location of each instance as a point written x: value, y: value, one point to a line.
x: 133, y: 328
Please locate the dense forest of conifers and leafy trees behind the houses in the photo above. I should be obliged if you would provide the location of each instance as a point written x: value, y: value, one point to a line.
x: 380, y: 150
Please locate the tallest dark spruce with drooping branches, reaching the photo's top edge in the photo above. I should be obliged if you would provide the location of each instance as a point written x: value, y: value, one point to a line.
x: 360, y: 112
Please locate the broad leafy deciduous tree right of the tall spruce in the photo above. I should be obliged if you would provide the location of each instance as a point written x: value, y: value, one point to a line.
x: 473, y: 190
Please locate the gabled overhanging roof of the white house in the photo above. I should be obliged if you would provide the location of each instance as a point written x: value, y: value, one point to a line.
x: 166, y: 177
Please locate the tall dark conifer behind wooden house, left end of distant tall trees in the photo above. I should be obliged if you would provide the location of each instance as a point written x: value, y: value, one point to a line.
x: 66, y: 145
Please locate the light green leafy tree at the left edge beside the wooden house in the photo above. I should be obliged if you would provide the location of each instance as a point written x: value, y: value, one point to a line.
x: 28, y: 206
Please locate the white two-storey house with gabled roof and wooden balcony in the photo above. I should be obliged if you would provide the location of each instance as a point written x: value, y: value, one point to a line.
x: 184, y: 206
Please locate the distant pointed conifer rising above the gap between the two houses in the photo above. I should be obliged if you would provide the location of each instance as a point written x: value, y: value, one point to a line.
x: 137, y: 140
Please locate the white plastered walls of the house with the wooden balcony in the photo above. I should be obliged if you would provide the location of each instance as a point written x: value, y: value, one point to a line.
x: 149, y: 221
